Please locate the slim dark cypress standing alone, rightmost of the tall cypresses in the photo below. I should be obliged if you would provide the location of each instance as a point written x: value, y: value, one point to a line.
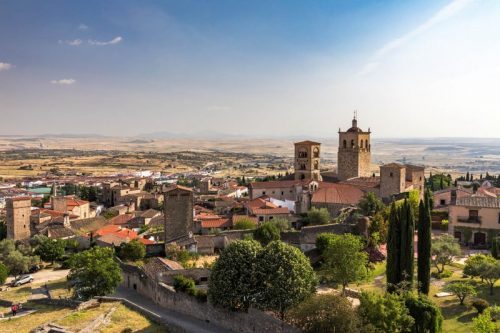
x: 424, y: 245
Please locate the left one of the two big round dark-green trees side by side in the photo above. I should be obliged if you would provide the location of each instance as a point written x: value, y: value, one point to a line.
x: 232, y: 282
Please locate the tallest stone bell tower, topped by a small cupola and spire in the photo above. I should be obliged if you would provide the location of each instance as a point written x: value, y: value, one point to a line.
x: 354, y: 155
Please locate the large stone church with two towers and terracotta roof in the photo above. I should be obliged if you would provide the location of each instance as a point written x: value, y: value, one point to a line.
x: 352, y: 178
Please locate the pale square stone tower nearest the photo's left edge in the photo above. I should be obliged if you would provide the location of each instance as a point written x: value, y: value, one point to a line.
x: 18, y: 218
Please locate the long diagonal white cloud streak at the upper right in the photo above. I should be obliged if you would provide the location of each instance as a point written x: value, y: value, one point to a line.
x: 440, y: 16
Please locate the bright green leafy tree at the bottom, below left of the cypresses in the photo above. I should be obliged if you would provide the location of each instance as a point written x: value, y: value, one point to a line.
x: 385, y: 313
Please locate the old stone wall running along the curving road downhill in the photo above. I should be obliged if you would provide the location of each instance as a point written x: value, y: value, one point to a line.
x: 164, y: 296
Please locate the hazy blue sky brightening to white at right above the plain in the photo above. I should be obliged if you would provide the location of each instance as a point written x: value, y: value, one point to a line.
x: 427, y: 68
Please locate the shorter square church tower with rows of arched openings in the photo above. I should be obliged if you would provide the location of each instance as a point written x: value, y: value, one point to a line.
x: 307, y: 160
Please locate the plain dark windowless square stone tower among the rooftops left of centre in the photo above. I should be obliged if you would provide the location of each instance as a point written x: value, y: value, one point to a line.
x: 178, y: 208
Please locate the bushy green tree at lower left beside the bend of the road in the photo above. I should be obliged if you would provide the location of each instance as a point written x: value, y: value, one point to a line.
x: 94, y: 273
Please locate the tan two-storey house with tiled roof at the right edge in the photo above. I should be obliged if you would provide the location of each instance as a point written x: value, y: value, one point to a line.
x: 475, y: 219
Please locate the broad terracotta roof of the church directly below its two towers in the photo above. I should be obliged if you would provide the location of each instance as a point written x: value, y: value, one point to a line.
x: 338, y: 194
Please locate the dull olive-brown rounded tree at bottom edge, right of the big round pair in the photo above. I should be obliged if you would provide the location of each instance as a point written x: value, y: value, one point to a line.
x: 325, y: 313
